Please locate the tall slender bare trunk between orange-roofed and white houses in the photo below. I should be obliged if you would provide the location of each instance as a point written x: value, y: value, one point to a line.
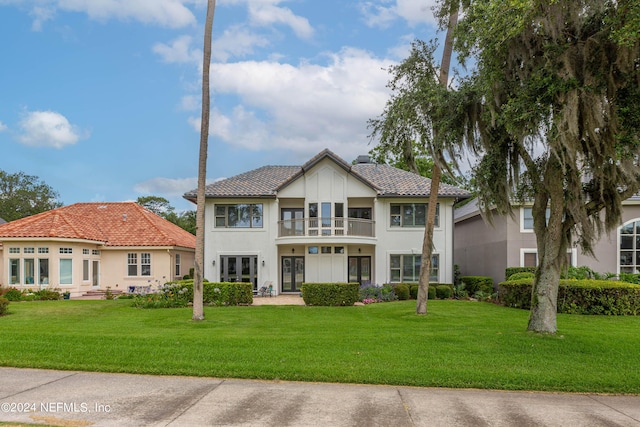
x: 198, y: 306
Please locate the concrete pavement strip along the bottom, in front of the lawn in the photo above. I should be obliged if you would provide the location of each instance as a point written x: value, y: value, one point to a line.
x: 68, y: 398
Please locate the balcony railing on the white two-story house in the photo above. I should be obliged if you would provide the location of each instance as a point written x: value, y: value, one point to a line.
x: 312, y: 227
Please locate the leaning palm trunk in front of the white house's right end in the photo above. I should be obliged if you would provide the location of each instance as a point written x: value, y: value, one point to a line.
x: 427, y: 243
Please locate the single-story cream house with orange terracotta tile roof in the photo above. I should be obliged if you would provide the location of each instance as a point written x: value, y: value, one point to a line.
x: 89, y: 246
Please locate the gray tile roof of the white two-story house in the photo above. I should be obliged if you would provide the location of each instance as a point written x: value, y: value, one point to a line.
x: 265, y: 182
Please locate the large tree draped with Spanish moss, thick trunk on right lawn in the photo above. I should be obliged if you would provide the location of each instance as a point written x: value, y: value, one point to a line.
x: 553, y: 109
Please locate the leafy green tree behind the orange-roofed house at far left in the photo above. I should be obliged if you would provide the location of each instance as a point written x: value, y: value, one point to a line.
x: 24, y: 195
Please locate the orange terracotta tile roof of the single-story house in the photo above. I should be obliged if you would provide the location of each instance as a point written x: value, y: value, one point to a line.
x: 113, y: 224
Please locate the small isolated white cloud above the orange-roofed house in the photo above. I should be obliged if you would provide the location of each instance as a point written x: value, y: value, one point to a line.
x: 48, y: 129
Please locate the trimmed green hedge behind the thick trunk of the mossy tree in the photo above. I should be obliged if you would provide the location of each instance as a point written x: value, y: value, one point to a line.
x: 578, y: 296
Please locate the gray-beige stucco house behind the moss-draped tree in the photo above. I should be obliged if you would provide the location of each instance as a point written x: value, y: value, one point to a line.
x: 482, y: 249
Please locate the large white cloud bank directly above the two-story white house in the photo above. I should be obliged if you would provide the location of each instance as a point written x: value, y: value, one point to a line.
x: 303, y: 108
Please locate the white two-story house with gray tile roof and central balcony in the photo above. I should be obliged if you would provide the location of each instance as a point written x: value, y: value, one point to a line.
x: 324, y: 221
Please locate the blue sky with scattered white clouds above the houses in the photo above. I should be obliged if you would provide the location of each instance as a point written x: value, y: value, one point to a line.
x: 101, y: 98
